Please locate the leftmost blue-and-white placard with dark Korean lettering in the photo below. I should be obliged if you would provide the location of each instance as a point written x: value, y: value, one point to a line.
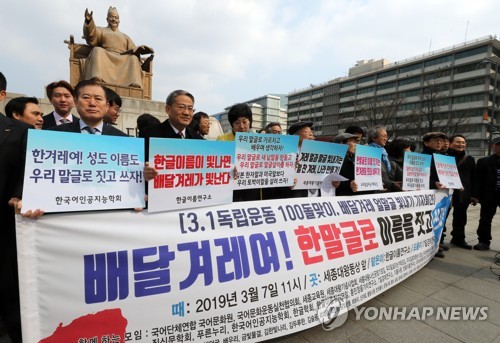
x: 87, y: 172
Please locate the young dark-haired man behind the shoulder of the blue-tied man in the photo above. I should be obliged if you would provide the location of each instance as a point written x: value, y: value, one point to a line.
x: 60, y: 94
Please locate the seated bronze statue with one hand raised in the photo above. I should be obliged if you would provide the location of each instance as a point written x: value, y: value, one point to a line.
x: 114, y: 58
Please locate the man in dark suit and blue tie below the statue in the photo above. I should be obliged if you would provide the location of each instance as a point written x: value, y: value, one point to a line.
x: 92, y: 105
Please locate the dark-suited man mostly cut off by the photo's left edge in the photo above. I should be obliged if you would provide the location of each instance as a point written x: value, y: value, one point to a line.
x: 12, y: 153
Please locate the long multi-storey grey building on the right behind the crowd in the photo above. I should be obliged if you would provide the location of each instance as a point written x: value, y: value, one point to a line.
x: 453, y: 90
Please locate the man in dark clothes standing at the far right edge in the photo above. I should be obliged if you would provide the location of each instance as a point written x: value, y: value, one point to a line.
x: 487, y: 192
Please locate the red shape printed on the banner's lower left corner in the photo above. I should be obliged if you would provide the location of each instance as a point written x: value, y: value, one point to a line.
x: 104, y: 323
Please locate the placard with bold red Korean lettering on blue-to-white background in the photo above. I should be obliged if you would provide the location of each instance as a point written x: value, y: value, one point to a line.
x: 191, y: 173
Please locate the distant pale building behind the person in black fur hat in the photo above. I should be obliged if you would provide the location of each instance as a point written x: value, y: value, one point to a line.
x: 265, y: 109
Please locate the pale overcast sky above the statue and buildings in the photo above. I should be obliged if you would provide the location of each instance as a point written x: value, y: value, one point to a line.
x: 227, y: 51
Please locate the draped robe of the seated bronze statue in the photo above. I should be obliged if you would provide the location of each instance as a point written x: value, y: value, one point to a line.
x: 105, y: 61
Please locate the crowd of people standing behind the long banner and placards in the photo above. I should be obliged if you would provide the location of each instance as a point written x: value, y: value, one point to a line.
x: 98, y: 109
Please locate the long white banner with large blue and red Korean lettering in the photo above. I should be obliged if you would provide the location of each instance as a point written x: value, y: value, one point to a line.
x: 240, y: 272
